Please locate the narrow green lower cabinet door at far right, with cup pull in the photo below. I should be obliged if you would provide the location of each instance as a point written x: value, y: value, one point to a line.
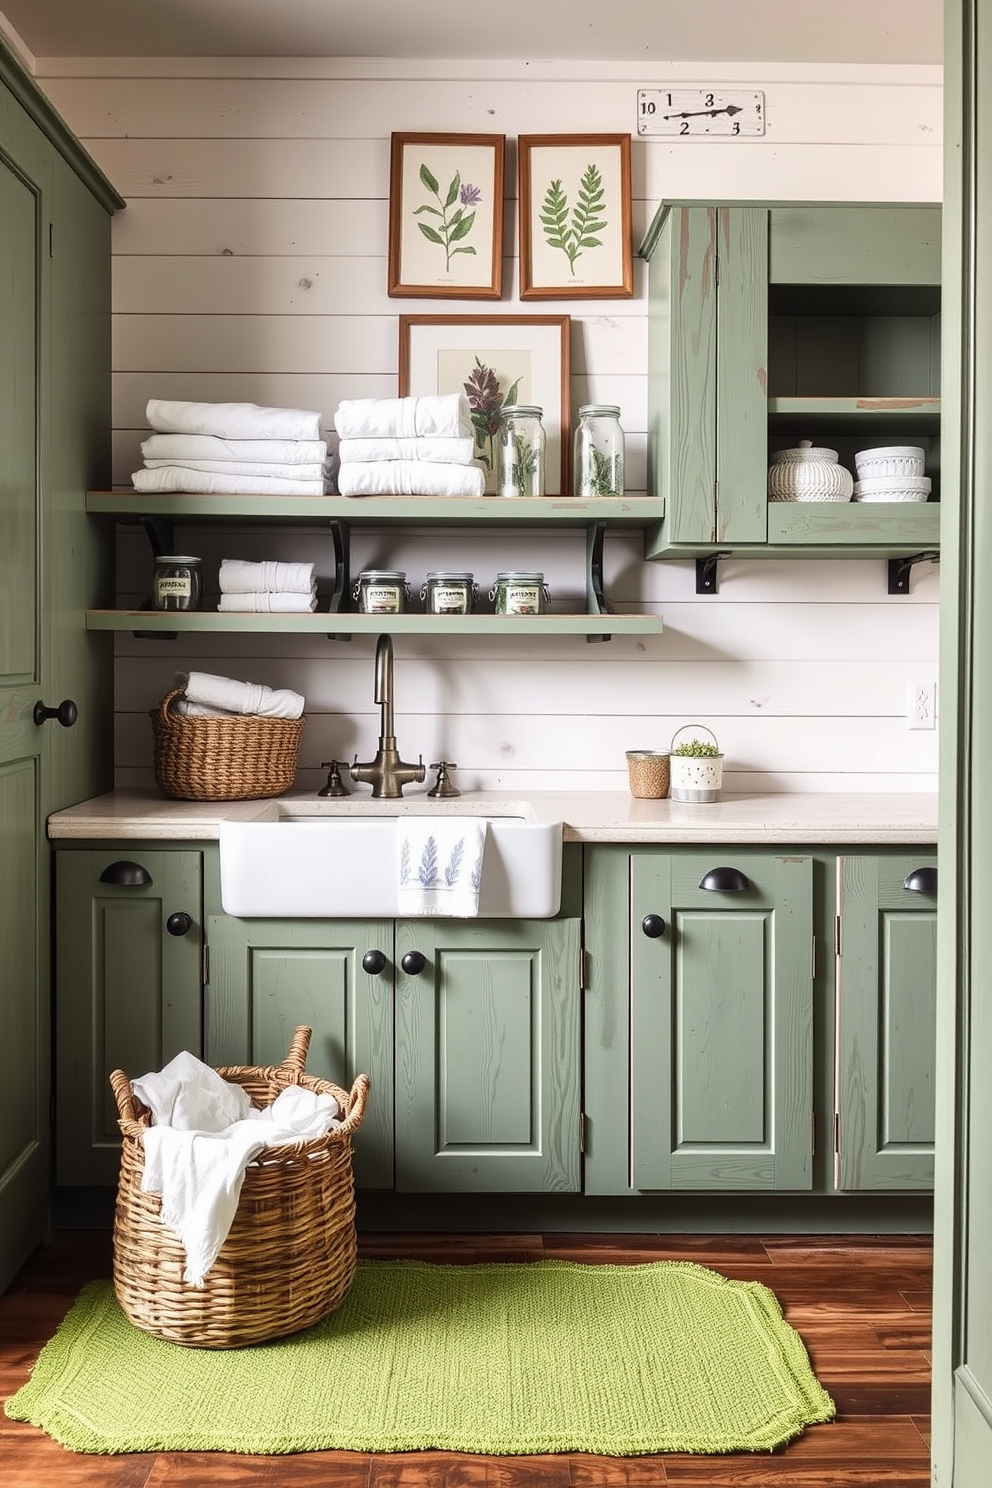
x: 887, y: 992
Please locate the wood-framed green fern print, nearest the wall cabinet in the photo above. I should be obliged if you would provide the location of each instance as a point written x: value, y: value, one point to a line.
x: 575, y: 217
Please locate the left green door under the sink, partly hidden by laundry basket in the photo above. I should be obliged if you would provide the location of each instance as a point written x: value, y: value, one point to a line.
x: 268, y: 977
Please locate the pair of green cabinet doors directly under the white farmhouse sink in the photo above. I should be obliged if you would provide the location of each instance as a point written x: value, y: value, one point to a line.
x: 471, y: 1035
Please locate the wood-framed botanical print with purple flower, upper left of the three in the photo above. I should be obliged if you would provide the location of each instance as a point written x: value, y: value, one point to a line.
x: 447, y: 217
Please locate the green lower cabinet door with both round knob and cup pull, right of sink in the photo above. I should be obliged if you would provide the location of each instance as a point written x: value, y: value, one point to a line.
x: 722, y: 1024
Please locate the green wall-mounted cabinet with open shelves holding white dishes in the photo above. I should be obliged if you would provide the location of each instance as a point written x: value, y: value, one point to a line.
x: 773, y: 325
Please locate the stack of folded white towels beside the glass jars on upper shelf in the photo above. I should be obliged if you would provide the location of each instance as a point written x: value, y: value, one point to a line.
x: 408, y: 447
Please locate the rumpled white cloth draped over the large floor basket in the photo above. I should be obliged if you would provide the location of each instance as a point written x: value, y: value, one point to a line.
x: 200, y: 1172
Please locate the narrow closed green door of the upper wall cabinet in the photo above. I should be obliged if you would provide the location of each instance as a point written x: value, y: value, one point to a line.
x: 741, y: 376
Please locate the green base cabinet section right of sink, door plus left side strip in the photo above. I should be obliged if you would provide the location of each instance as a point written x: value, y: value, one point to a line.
x: 700, y: 1020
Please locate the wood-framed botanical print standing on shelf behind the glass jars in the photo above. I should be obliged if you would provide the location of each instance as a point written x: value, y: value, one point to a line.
x: 493, y: 361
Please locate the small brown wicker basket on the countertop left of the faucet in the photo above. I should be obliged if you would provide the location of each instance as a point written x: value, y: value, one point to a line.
x: 224, y: 760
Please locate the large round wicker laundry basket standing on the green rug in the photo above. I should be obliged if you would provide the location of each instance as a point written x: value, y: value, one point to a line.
x: 291, y: 1255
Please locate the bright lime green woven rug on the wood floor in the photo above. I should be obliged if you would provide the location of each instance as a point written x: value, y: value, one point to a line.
x: 500, y: 1359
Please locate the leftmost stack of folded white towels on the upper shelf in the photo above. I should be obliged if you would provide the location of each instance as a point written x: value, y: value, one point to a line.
x: 234, y: 449
